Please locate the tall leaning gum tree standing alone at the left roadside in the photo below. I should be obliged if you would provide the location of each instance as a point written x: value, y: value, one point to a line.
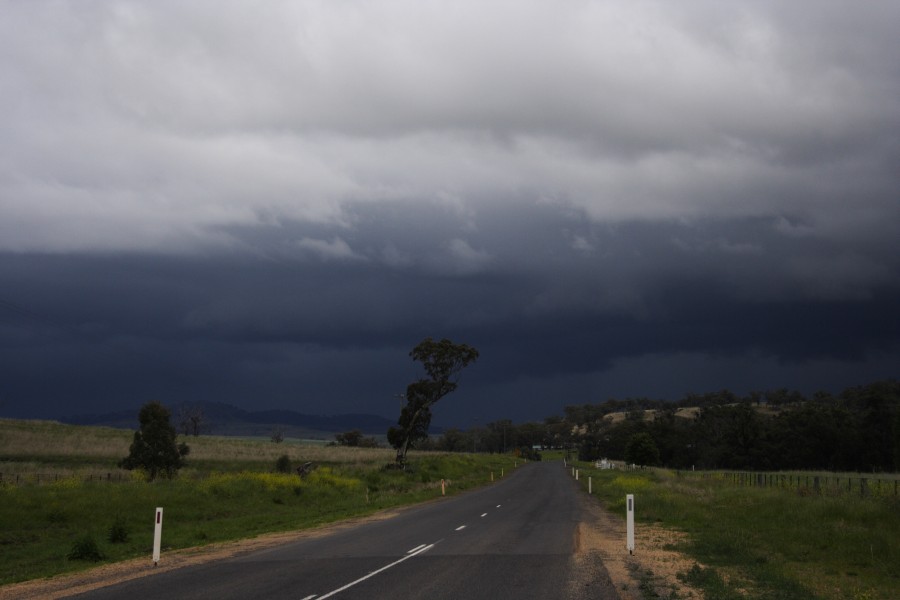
x: 443, y: 362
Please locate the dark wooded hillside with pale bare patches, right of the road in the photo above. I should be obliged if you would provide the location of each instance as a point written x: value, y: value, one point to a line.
x: 855, y: 430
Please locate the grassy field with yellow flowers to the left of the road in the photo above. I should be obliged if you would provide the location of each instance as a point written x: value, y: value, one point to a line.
x: 73, y: 508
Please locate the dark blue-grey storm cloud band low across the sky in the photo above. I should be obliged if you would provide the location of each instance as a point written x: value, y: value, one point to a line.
x: 322, y: 333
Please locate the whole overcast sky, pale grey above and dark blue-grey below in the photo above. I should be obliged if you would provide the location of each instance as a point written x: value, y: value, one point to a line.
x: 269, y: 204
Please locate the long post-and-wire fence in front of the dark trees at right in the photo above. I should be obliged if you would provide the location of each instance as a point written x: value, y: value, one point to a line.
x: 813, y: 484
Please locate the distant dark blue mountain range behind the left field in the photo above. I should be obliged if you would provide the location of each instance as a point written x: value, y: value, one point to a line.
x: 216, y: 418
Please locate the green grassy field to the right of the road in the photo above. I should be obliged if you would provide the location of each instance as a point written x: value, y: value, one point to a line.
x: 773, y: 543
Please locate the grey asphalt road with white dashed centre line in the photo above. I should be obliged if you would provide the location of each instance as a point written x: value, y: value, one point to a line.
x: 513, y: 539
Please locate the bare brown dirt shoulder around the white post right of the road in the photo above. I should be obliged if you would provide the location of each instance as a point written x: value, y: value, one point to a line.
x: 652, y: 569
